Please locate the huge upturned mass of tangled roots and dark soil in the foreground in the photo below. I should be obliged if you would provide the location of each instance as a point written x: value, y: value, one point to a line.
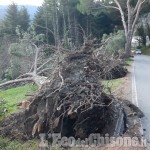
x: 72, y: 102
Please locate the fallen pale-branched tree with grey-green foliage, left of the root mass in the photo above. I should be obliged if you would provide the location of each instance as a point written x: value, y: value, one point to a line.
x: 28, y: 59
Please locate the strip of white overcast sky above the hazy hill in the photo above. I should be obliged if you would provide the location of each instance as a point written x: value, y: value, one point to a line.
x: 22, y: 2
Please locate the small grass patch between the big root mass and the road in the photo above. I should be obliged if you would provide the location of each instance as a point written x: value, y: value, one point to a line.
x: 113, y: 85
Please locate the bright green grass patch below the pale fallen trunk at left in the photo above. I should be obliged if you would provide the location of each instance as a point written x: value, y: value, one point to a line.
x: 15, y: 95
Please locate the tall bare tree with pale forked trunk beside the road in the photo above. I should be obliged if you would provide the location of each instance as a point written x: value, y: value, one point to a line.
x: 132, y: 10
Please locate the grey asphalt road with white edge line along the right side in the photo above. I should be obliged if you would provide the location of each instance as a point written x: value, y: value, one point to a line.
x: 141, y: 77
